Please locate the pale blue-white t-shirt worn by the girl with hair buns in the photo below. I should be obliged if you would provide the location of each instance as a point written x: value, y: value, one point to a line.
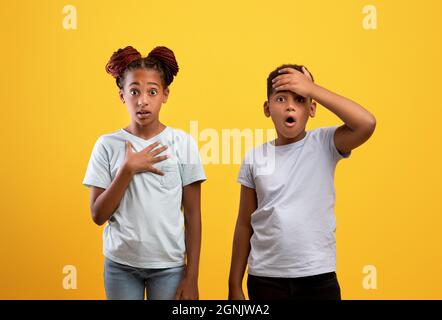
x: 147, y: 228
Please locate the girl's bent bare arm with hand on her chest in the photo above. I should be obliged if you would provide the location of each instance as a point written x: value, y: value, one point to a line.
x: 104, y: 202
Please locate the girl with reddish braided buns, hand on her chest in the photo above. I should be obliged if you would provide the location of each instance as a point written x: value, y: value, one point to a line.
x: 140, y: 177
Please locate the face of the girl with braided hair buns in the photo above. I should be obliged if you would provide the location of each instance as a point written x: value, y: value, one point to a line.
x: 143, y: 94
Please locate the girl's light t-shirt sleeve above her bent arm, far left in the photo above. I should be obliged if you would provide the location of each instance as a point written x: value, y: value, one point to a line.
x: 98, y: 172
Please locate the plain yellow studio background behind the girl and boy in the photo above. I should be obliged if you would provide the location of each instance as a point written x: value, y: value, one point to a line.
x: 57, y: 100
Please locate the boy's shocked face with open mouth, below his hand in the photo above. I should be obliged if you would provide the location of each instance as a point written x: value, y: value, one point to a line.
x: 289, y: 112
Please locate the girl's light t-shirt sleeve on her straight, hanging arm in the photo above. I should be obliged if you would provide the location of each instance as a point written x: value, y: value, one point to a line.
x: 191, y: 166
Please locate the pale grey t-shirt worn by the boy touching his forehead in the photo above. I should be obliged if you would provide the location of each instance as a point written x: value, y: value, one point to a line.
x: 294, y: 223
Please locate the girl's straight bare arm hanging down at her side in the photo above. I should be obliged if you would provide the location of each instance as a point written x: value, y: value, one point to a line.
x: 188, y: 288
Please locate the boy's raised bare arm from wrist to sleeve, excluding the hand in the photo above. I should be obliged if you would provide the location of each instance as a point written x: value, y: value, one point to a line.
x: 359, y: 124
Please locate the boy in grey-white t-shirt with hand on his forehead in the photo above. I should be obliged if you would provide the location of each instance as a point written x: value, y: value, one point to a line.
x: 286, y: 222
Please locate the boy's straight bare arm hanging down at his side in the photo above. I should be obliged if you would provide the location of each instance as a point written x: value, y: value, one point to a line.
x: 241, y: 242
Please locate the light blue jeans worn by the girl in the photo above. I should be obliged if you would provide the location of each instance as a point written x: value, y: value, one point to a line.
x: 124, y: 282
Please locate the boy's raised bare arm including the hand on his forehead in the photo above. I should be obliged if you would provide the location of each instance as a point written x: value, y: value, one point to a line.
x: 359, y: 123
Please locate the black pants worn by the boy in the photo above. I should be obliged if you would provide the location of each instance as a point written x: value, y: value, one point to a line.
x: 319, y: 287
